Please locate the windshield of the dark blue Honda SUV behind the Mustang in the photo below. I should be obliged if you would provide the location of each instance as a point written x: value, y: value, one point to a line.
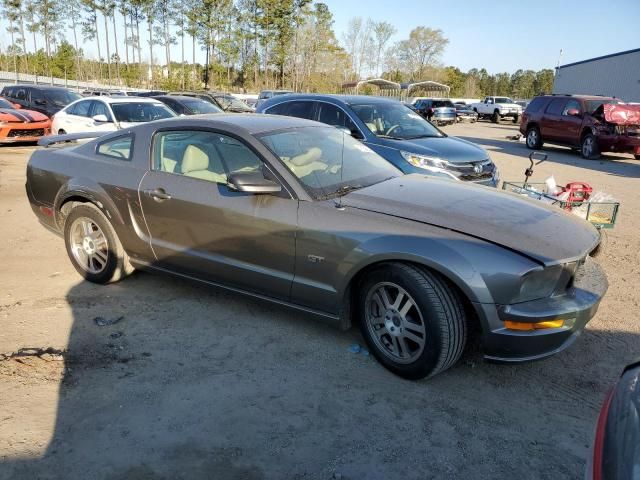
x: 394, y: 120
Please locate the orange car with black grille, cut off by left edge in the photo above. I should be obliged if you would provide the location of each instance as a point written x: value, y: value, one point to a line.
x: 21, y: 125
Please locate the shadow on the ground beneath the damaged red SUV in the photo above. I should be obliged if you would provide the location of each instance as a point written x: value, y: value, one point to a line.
x: 609, y: 163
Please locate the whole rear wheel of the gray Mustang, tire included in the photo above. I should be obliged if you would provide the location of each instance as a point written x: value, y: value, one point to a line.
x: 97, y: 256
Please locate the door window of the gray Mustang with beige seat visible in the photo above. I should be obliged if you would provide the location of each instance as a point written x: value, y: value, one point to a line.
x: 204, y: 155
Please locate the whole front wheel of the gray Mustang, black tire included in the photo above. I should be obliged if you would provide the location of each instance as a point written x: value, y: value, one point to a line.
x: 431, y: 334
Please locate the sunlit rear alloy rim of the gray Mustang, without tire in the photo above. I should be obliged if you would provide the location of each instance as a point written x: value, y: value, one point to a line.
x: 89, y: 245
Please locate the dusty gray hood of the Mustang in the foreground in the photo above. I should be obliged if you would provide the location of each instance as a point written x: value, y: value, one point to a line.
x: 543, y: 233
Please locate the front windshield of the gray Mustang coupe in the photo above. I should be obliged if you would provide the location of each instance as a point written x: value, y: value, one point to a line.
x: 327, y: 161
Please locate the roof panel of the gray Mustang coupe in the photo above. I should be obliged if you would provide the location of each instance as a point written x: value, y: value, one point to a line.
x: 250, y: 122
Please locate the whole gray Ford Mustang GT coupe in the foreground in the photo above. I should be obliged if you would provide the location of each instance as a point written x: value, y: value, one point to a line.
x: 300, y: 213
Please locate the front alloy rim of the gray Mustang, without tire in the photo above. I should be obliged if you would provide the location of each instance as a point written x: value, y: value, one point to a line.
x: 395, y: 322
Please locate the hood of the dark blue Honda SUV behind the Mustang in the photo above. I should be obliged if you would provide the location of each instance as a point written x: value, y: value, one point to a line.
x: 452, y: 149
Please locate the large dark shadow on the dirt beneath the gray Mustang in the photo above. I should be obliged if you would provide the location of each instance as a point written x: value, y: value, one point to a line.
x: 169, y: 379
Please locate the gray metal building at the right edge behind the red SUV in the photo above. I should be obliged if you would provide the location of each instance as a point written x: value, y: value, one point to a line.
x: 616, y: 75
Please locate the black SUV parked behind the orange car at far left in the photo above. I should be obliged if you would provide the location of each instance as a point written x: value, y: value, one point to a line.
x: 47, y: 100
